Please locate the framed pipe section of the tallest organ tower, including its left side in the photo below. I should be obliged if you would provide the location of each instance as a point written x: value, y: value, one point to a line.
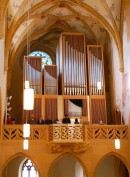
x: 72, y: 64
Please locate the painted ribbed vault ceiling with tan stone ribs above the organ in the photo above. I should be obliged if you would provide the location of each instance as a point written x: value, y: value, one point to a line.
x: 46, y: 19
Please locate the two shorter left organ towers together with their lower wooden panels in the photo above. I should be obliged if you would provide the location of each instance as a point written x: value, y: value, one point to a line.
x: 46, y: 104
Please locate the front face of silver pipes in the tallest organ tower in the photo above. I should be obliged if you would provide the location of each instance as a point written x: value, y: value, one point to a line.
x: 74, y: 65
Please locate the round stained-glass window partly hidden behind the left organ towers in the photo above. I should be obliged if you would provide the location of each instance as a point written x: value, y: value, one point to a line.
x: 46, y: 59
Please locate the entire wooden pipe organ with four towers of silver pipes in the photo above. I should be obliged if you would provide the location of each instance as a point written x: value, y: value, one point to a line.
x: 77, y: 77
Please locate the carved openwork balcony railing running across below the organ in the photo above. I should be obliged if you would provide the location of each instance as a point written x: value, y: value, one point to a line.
x: 66, y: 132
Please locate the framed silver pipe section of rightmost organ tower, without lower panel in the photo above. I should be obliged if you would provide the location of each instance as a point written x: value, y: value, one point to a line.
x: 95, y: 67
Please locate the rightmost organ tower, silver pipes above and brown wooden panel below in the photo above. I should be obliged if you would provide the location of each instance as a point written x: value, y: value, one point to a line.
x: 97, y: 95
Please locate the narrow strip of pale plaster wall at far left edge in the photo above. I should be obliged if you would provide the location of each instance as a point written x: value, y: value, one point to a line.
x: 3, y: 77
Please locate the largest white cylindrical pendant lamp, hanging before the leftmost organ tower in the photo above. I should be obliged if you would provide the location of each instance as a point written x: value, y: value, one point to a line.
x: 28, y: 99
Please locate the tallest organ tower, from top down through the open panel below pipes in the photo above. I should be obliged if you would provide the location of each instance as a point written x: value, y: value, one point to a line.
x: 72, y: 74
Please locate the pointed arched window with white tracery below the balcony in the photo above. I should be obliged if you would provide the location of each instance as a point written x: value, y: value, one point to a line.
x: 29, y: 169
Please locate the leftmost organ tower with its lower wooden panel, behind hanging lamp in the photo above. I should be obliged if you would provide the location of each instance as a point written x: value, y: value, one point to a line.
x: 32, y: 72
